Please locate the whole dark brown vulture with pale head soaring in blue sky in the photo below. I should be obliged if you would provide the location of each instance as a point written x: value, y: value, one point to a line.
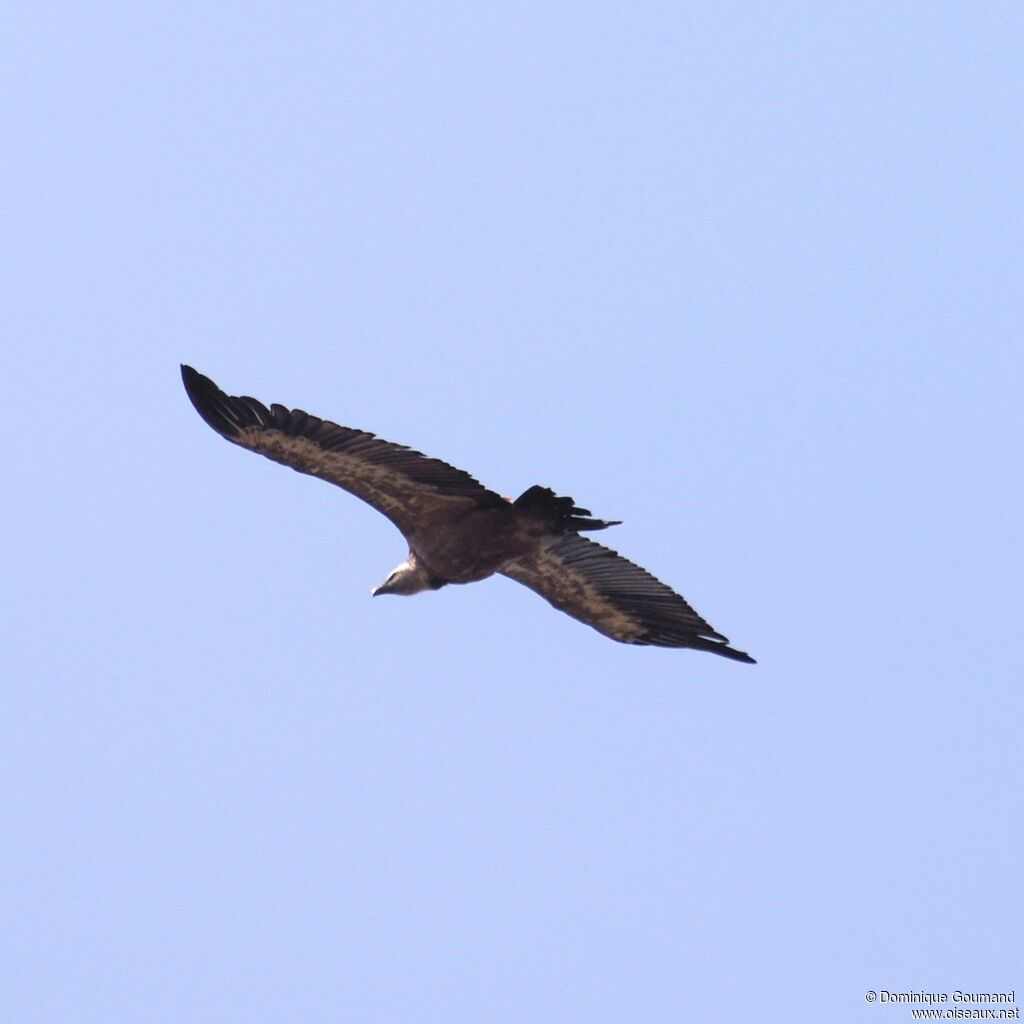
x: 460, y: 532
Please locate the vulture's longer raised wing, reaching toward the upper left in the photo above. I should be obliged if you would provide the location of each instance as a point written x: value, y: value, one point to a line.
x: 408, y: 487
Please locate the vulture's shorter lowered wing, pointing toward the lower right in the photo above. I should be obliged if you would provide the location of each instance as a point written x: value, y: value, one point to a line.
x: 620, y: 600
